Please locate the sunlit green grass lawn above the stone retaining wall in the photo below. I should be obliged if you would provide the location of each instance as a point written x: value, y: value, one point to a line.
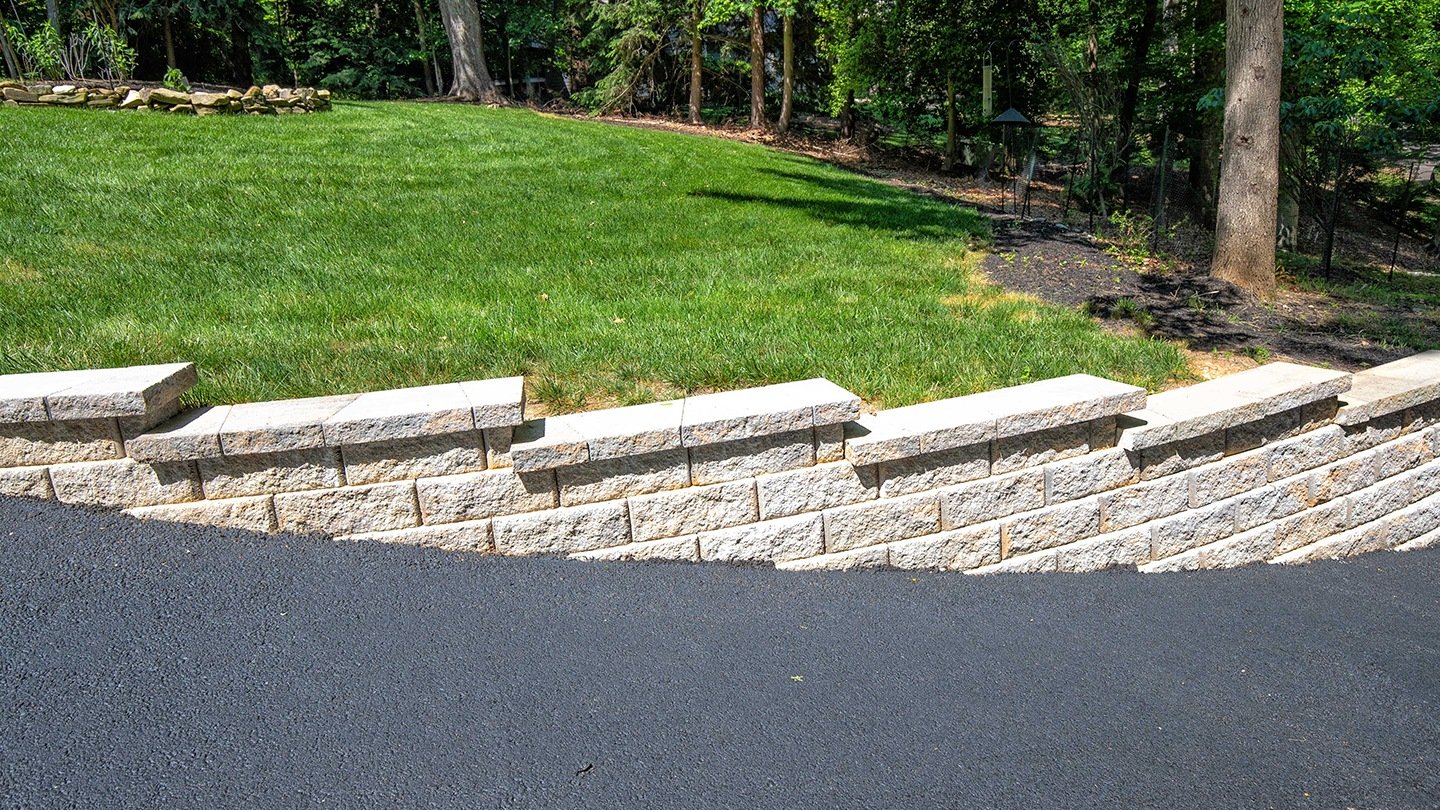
x: 400, y: 244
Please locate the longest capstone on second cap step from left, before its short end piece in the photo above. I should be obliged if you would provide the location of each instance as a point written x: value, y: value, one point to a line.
x: 400, y: 414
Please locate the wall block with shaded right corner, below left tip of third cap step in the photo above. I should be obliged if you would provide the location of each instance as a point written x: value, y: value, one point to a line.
x: 474, y: 497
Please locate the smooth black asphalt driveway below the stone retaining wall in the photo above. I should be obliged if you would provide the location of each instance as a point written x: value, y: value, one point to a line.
x: 172, y: 667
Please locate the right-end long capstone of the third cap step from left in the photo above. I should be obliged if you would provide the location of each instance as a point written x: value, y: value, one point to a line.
x: 768, y: 410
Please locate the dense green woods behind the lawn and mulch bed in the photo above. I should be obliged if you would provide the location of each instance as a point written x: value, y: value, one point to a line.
x: 1111, y: 83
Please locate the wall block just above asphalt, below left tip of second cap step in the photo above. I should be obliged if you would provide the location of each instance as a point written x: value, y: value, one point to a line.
x: 126, y: 484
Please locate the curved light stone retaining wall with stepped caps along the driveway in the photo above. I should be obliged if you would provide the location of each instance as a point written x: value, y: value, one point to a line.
x: 1282, y: 463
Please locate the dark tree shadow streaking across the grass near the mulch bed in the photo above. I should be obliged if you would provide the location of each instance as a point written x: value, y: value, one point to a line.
x: 866, y: 204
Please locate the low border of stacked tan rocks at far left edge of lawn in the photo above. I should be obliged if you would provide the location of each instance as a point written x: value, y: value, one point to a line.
x: 270, y: 100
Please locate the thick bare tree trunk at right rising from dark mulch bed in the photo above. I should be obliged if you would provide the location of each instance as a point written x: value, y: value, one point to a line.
x: 1251, y: 164
